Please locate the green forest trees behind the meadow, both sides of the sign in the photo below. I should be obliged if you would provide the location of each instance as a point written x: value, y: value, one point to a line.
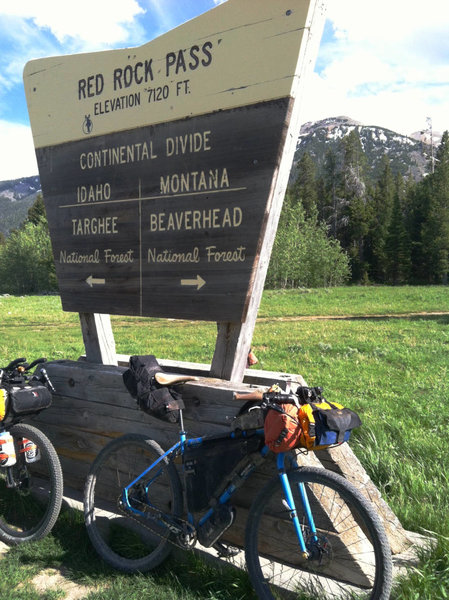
x: 337, y: 226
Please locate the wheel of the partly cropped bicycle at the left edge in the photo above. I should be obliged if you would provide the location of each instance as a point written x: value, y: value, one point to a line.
x: 29, y: 510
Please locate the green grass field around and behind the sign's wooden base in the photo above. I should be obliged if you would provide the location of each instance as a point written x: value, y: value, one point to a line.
x: 388, y: 359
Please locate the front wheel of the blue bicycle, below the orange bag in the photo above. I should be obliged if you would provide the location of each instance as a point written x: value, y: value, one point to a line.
x: 352, y: 560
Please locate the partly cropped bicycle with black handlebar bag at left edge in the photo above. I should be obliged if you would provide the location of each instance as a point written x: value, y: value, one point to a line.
x: 31, y: 480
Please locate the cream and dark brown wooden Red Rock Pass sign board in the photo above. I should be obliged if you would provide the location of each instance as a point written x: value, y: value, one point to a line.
x: 158, y: 163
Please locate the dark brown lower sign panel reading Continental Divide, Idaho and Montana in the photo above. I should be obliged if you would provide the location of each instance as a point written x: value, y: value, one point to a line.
x: 167, y: 218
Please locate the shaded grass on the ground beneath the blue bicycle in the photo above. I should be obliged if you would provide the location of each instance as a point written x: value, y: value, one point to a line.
x: 68, y: 548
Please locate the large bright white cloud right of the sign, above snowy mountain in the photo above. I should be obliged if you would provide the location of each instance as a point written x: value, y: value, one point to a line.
x: 387, y: 64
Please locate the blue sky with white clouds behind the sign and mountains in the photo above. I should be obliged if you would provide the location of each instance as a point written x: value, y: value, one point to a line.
x: 380, y: 62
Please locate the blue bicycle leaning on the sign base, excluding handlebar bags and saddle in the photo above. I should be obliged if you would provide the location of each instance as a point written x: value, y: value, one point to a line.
x: 309, y: 532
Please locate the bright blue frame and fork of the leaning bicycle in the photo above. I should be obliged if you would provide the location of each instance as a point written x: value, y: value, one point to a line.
x: 179, y: 448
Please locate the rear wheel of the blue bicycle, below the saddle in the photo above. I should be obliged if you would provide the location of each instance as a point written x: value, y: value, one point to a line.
x: 112, y: 531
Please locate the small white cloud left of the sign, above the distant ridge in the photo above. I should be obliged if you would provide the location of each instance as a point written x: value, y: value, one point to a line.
x: 18, y: 157
